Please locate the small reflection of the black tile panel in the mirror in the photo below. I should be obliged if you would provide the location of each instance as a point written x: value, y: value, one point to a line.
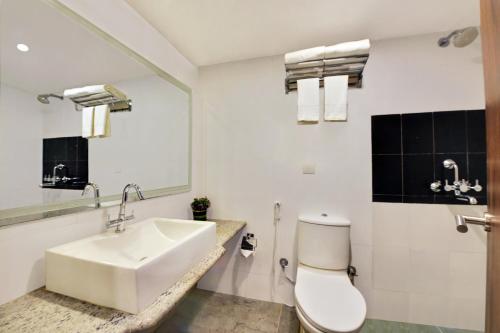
x: 73, y: 153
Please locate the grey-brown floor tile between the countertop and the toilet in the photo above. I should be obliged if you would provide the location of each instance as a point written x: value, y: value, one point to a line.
x: 208, y: 312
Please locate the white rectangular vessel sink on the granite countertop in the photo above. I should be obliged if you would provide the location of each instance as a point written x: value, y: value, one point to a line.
x: 129, y: 270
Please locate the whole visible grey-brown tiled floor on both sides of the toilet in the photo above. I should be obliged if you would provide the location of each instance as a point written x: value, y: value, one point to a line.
x: 208, y: 312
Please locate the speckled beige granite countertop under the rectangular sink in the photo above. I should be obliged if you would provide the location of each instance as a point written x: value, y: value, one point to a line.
x: 44, y: 311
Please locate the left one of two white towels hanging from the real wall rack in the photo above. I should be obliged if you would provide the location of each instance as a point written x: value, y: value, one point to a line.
x: 308, y: 99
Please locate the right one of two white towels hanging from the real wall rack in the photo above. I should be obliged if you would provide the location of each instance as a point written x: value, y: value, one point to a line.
x: 336, y: 97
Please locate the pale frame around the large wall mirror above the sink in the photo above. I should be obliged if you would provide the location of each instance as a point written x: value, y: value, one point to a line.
x: 16, y: 215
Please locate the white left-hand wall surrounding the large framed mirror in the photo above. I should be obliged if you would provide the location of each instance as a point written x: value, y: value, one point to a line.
x: 24, y: 271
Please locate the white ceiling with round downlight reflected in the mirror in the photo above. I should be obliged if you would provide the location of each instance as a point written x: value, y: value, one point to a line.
x: 63, y: 54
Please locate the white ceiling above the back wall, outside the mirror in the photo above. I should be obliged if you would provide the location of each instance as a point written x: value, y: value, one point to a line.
x: 216, y: 31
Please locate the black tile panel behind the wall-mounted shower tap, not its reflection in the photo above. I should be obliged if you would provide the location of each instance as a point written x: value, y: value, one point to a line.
x: 408, y: 151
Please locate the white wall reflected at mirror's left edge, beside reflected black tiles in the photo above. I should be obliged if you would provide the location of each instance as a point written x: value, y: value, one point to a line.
x: 20, y: 133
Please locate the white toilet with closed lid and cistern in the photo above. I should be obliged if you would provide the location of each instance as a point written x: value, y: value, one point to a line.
x: 325, y: 299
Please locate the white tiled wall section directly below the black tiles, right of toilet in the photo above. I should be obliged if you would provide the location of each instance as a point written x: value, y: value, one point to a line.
x: 443, y: 269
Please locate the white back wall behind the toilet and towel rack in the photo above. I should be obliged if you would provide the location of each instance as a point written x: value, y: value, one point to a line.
x: 255, y: 152
